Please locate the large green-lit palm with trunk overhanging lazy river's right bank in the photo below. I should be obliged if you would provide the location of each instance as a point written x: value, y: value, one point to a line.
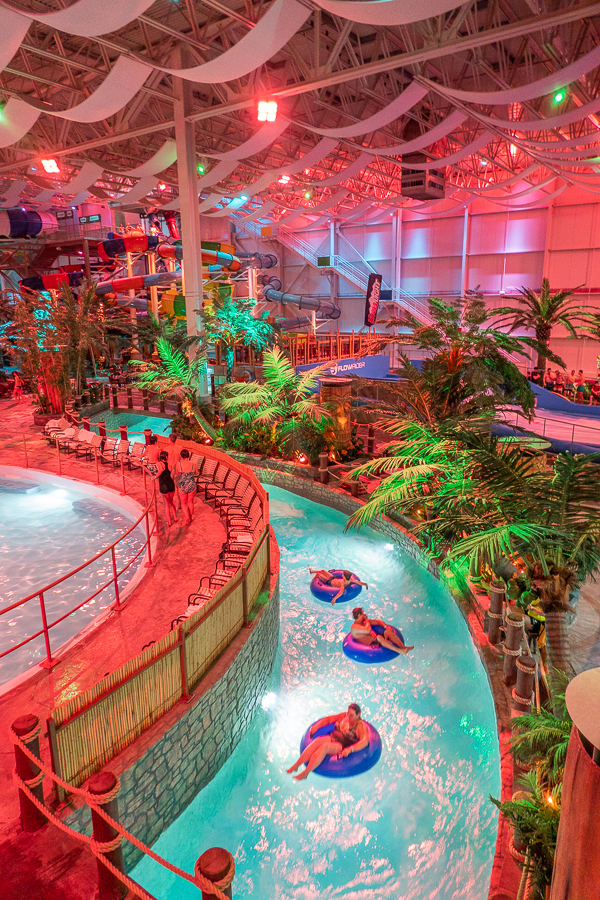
x: 489, y: 504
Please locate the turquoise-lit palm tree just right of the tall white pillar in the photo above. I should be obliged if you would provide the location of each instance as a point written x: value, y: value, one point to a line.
x: 230, y: 321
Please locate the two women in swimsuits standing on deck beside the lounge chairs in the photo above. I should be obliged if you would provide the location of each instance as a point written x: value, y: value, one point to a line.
x: 176, y: 473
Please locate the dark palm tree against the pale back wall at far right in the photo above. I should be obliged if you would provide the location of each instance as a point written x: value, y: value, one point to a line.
x: 541, y: 313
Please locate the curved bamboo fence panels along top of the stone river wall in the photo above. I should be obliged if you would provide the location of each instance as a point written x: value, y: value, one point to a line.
x: 100, y: 723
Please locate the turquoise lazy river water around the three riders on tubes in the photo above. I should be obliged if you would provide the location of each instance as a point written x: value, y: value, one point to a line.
x: 418, y: 825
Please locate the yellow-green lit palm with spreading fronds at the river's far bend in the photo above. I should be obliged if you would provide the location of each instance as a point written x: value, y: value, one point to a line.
x: 285, y: 402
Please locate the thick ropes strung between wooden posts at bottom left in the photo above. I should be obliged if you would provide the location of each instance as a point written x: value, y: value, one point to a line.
x: 198, y: 880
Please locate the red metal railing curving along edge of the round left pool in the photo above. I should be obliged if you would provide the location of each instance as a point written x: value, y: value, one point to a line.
x: 117, y: 573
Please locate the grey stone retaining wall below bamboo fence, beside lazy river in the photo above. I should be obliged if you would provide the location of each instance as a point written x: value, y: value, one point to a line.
x: 158, y: 787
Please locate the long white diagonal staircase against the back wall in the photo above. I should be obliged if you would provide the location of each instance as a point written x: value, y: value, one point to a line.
x: 399, y: 299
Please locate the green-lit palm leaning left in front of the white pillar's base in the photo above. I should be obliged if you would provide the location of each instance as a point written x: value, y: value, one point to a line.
x: 175, y: 376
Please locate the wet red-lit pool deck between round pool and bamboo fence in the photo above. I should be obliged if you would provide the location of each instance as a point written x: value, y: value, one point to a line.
x: 37, y: 866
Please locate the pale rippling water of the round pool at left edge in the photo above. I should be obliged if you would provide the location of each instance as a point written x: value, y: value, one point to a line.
x: 46, y: 530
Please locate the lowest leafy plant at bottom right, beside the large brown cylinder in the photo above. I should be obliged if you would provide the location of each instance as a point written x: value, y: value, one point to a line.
x: 535, y: 818
